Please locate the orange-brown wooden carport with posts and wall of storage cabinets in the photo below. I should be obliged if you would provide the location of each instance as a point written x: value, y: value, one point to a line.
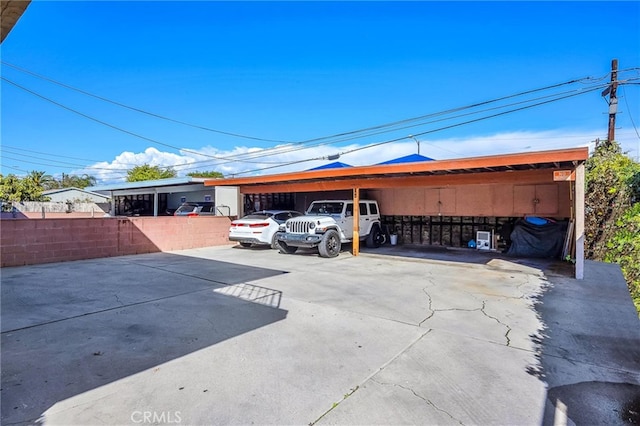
x: 545, y: 182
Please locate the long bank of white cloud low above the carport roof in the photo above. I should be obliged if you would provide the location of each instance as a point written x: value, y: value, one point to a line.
x: 287, y: 158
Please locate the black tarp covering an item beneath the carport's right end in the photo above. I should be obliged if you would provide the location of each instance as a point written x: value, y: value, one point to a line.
x: 529, y: 240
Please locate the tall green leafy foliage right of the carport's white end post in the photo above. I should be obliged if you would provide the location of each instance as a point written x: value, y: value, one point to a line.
x: 612, y: 216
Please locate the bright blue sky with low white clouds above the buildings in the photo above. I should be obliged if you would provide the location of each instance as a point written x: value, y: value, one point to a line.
x: 290, y: 72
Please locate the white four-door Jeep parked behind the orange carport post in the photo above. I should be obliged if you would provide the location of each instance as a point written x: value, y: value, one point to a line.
x: 327, y: 224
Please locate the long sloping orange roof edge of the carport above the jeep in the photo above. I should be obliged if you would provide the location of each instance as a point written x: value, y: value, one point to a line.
x: 555, y: 159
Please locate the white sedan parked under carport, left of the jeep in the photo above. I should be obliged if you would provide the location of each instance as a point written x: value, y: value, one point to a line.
x: 260, y: 228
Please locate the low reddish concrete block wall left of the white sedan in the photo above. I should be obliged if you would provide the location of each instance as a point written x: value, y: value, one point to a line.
x: 29, y: 242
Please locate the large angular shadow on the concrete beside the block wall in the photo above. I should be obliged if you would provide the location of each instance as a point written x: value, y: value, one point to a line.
x: 72, y: 327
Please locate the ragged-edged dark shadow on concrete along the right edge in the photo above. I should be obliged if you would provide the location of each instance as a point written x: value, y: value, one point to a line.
x: 589, y: 349
